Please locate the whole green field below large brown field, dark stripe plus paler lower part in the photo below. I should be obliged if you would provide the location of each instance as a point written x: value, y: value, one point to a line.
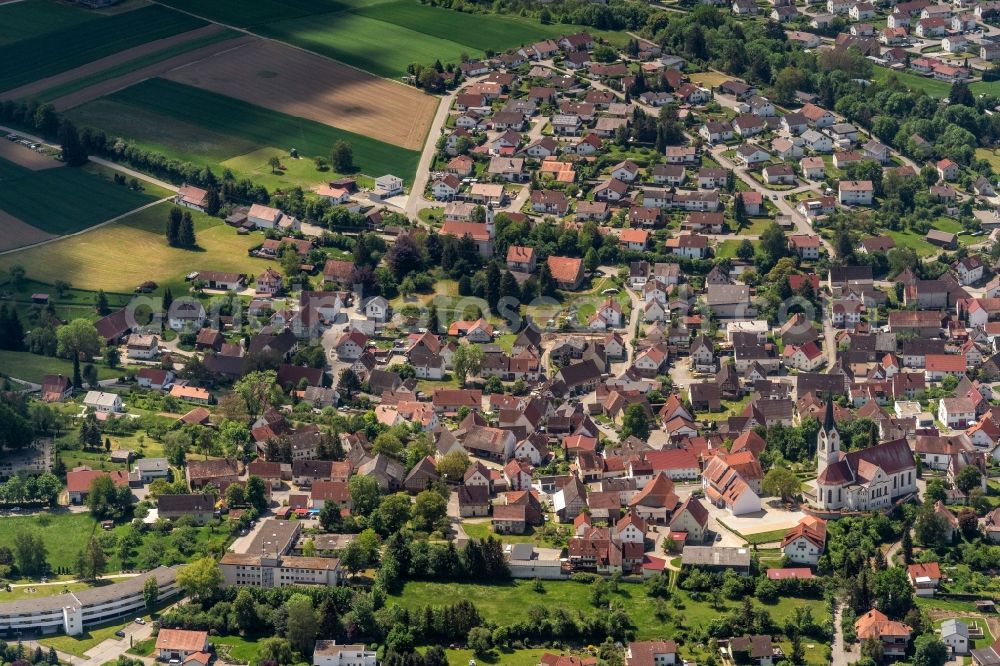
x: 203, y: 127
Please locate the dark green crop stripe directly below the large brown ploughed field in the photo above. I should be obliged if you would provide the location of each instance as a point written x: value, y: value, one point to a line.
x: 263, y: 127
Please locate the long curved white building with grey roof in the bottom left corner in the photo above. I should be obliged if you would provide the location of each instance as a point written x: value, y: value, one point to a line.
x: 73, y: 612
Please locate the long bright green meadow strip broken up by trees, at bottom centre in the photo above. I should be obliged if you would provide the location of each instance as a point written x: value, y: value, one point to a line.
x: 511, y: 602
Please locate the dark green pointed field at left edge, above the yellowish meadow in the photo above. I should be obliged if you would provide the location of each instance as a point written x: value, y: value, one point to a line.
x: 63, y: 200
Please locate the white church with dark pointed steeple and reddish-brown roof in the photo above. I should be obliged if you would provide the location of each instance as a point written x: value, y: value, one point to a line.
x: 863, y: 480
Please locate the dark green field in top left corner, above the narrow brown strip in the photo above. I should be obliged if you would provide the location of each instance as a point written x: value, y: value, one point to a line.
x: 69, y: 46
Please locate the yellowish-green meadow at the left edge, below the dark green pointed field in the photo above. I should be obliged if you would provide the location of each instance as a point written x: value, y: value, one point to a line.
x: 141, y: 253
